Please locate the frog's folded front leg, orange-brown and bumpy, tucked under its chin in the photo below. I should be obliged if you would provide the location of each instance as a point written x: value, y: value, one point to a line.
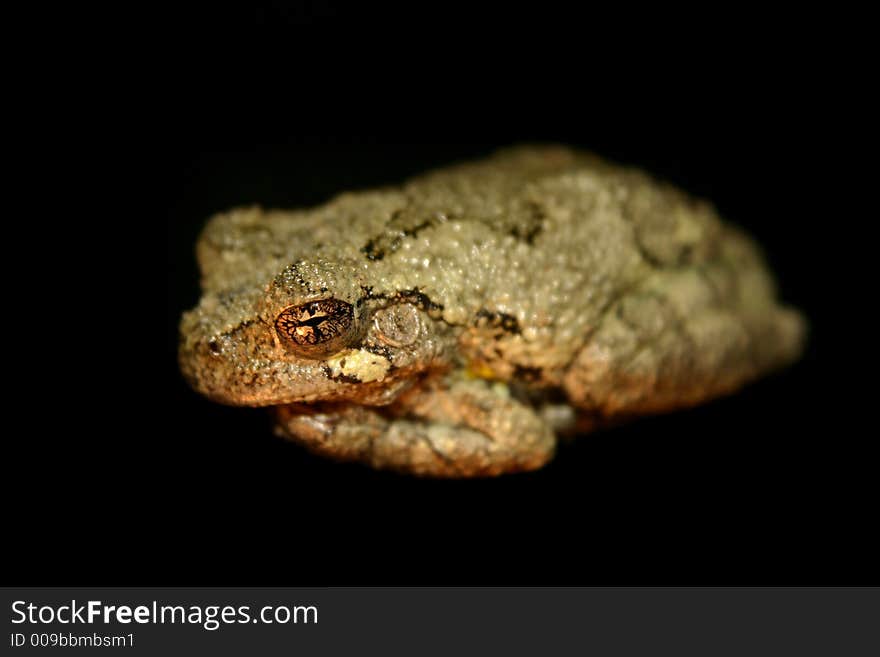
x: 451, y: 428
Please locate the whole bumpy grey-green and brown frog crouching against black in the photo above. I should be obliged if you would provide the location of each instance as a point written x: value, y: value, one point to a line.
x: 465, y: 322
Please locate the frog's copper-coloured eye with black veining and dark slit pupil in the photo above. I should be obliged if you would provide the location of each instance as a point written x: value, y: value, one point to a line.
x: 316, y: 326
